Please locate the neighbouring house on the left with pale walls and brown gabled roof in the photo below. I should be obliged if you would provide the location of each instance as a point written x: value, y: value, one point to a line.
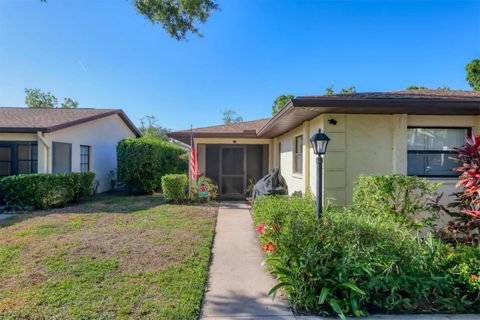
x: 62, y: 140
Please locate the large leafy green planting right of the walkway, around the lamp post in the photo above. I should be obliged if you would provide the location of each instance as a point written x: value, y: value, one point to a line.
x: 351, y: 263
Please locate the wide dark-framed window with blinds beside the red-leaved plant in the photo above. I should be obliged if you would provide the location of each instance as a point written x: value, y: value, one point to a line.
x: 429, y: 150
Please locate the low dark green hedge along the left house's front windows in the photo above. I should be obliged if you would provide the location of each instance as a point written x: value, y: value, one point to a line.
x: 41, y: 191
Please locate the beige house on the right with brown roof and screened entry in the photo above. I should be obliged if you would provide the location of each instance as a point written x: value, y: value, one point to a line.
x: 404, y: 132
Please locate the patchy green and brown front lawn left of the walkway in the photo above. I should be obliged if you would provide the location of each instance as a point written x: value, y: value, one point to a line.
x: 115, y: 257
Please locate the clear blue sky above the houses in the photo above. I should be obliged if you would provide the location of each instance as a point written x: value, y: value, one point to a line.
x: 102, y: 54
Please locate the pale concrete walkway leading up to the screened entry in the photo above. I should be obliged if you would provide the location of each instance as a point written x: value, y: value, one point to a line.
x: 238, y: 286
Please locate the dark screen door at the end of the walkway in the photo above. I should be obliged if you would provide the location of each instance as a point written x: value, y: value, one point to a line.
x: 233, y: 167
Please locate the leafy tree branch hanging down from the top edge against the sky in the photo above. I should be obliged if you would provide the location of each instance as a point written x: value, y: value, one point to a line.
x: 177, y: 17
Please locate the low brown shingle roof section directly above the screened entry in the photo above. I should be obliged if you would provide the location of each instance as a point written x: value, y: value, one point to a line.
x: 242, y: 129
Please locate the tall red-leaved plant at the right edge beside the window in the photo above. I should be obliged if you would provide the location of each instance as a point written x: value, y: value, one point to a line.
x: 465, y: 209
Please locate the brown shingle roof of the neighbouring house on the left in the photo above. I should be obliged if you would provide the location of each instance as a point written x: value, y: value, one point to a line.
x: 47, y: 120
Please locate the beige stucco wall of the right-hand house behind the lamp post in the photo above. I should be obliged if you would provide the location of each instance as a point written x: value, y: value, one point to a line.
x: 360, y: 144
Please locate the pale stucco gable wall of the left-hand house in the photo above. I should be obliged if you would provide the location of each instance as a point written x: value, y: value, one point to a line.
x: 102, y: 135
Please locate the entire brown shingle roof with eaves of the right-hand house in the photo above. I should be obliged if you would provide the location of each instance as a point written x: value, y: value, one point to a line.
x: 303, y: 108
